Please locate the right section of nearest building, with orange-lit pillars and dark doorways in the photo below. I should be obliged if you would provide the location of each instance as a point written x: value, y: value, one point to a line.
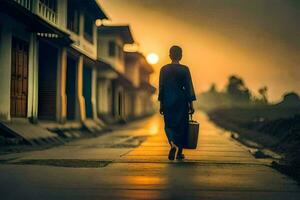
x: 81, y: 71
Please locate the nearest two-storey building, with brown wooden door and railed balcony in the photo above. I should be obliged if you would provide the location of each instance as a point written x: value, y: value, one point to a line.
x: 48, y: 54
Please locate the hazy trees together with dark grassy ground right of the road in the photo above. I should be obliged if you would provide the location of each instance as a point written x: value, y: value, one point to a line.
x: 274, y: 126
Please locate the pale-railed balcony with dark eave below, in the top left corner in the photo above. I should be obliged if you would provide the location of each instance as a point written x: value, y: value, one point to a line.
x: 42, y: 19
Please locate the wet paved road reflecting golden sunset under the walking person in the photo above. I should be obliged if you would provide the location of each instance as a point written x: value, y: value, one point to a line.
x: 131, y: 163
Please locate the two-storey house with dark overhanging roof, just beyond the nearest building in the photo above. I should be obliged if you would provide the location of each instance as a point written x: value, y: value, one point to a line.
x: 111, y: 79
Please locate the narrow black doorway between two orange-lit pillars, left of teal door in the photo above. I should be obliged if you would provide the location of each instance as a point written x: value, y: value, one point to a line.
x: 71, y: 88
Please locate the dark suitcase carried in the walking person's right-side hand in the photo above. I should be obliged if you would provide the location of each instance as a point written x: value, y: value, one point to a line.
x: 192, y: 136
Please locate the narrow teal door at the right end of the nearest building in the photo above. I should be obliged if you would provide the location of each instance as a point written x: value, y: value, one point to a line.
x: 87, y: 91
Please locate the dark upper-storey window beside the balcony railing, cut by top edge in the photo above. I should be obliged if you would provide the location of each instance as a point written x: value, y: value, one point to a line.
x: 73, y: 17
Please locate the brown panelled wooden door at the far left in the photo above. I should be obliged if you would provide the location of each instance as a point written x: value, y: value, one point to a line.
x: 19, y: 78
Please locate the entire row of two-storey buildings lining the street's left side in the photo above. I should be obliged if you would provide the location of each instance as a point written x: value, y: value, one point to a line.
x: 57, y: 66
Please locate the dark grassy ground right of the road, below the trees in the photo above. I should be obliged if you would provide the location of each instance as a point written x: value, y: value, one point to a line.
x: 272, y: 127
